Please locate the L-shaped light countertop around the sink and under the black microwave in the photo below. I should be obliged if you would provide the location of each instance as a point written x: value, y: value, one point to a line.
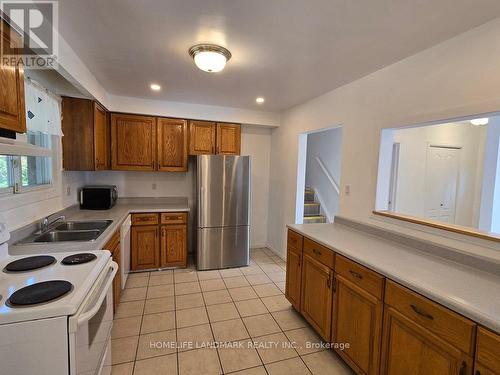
x: 118, y: 214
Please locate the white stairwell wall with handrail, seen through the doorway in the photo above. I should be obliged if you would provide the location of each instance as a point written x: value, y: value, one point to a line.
x: 327, y: 146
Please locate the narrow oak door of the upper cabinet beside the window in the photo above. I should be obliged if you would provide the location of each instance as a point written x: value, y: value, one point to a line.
x: 102, y: 152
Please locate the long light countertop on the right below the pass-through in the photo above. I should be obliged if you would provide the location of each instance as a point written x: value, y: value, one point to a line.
x: 468, y: 291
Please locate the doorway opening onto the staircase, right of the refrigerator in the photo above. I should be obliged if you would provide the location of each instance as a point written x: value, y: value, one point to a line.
x: 318, y: 176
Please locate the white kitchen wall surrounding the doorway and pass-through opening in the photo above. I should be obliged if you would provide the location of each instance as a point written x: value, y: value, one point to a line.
x: 456, y: 78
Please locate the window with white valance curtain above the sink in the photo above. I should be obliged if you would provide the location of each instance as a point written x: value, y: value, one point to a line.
x: 27, y: 163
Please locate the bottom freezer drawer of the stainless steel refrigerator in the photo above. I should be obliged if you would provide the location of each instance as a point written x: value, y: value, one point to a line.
x: 223, y: 247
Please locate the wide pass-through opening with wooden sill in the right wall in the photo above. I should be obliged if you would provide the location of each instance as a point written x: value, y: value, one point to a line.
x: 445, y: 175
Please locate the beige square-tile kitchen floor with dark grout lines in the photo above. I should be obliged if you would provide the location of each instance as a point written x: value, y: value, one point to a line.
x: 168, y: 321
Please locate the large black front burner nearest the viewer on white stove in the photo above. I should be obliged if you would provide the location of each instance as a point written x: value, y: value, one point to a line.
x: 39, y: 293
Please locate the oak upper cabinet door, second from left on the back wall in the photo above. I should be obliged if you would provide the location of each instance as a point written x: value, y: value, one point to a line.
x: 172, y: 145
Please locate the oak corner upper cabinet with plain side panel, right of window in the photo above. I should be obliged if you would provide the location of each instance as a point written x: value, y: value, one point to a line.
x: 86, y: 140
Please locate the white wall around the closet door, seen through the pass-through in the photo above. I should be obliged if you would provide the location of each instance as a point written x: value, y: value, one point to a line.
x: 414, y: 143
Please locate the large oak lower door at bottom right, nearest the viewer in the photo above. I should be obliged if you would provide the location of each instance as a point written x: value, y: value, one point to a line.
x: 412, y: 350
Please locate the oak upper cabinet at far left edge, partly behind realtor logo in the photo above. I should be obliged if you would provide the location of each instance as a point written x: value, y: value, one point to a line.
x: 12, y: 107
